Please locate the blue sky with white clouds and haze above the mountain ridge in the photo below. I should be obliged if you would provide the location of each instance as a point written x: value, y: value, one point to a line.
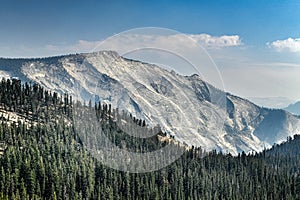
x: 255, y: 44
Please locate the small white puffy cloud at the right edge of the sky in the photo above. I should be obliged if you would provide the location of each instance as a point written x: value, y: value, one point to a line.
x: 290, y: 45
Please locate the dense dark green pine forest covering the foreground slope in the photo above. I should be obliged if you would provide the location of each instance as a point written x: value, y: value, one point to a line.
x: 42, y: 156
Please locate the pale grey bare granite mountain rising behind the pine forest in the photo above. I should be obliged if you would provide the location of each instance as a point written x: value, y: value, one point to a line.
x: 193, y: 111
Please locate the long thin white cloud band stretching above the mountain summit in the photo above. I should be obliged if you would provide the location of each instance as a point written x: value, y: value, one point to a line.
x: 135, y: 41
